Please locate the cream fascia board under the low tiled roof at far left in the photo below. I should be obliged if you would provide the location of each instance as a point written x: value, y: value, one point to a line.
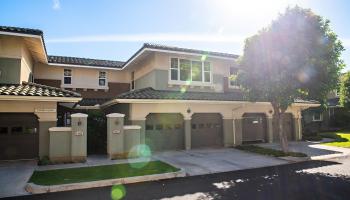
x: 39, y: 98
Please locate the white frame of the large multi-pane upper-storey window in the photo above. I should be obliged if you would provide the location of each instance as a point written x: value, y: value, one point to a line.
x: 203, y: 71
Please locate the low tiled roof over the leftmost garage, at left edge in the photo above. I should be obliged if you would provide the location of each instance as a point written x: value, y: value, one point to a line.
x: 33, y: 89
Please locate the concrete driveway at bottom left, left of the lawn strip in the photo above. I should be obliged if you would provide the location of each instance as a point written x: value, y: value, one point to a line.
x: 14, y: 176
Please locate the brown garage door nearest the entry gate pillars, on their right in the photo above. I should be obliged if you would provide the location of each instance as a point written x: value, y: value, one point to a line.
x: 165, y: 131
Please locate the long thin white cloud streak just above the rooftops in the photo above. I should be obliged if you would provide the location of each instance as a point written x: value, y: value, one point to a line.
x: 158, y: 37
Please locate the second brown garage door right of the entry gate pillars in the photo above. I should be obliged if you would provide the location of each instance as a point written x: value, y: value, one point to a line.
x: 206, y: 130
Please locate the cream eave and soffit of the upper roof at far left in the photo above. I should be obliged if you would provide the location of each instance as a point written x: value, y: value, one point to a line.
x: 35, y: 44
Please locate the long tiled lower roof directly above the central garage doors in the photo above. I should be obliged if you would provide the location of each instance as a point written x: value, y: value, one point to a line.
x: 150, y: 93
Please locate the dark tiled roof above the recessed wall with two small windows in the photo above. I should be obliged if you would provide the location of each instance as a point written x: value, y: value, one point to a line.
x: 85, y: 61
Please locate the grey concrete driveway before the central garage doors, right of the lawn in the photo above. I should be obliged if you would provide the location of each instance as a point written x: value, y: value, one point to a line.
x: 207, y: 161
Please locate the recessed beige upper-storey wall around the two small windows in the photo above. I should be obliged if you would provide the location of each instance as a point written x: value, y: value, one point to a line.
x: 81, y: 77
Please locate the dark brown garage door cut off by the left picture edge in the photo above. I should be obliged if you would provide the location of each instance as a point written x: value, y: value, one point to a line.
x: 19, y: 136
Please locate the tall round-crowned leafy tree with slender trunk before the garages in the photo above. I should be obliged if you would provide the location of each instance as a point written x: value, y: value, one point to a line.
x: 297, y: 56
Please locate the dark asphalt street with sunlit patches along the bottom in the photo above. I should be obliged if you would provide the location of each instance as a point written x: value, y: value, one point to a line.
x: 306, y: 180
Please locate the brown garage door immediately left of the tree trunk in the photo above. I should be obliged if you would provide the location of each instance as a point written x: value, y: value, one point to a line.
x: 254, y: 128
